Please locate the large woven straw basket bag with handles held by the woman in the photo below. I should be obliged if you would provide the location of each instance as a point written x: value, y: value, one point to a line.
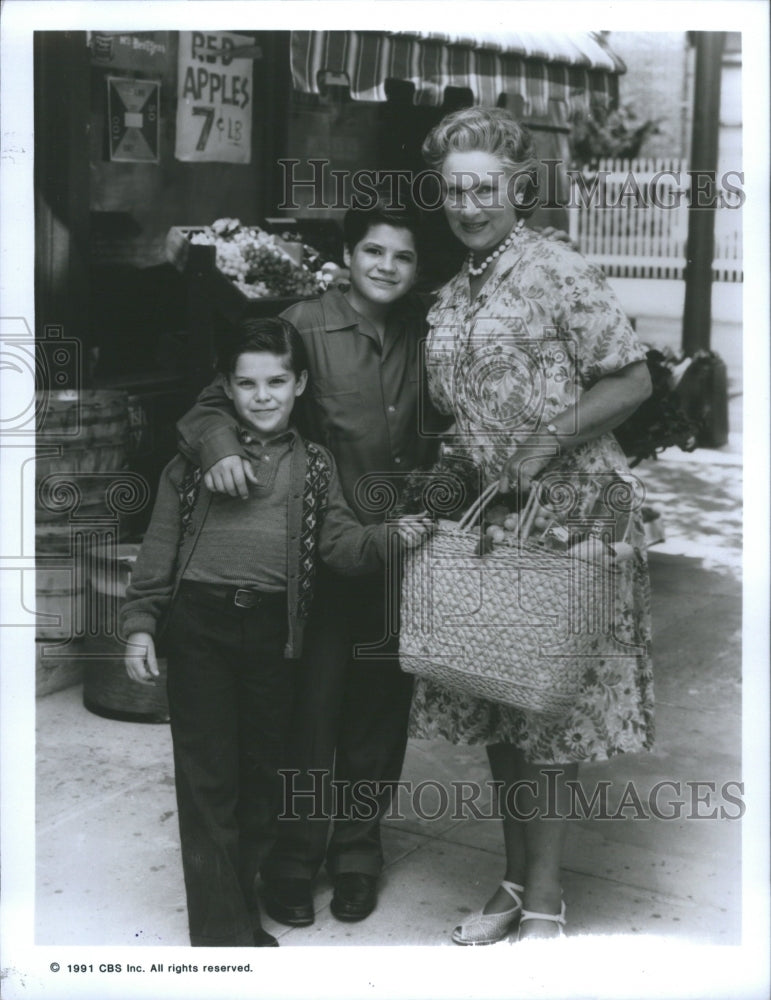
x: 514, y: 626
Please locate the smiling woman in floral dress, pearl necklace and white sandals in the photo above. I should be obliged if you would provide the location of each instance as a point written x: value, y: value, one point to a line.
x: 530, y: 352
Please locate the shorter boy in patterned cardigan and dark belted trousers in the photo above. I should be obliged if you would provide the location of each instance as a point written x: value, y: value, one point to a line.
x: 230, y: 583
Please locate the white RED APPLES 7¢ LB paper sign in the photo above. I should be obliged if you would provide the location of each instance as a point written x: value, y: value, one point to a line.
x: 214, y: 98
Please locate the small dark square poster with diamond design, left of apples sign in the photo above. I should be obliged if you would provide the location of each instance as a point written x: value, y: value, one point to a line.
x: 133, y: 118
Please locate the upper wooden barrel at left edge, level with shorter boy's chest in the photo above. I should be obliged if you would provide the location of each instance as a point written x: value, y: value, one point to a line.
x: 79, y: 434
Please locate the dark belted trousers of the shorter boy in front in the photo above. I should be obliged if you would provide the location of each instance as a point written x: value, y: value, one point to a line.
x: 230, y: 693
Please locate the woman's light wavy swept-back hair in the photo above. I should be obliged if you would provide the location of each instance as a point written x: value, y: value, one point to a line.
x: 491, y: 130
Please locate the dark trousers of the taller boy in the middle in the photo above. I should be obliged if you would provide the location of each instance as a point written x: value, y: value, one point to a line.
x: 350, y: 723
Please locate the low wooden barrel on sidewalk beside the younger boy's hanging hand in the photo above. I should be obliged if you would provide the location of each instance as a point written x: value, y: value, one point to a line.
x: 107, y: 689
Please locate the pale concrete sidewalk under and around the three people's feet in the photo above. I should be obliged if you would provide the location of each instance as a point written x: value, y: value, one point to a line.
x: 108, y: 866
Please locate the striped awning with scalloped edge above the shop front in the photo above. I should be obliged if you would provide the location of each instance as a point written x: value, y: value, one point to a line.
x: 538, y: 66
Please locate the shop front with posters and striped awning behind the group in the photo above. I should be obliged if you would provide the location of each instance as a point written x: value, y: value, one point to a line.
x: 140, y: 133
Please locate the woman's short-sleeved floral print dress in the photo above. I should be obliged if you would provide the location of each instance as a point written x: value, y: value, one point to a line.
x: 544, y: 328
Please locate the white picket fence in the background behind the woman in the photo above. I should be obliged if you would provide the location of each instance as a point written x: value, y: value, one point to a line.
x: 631, y: 233
